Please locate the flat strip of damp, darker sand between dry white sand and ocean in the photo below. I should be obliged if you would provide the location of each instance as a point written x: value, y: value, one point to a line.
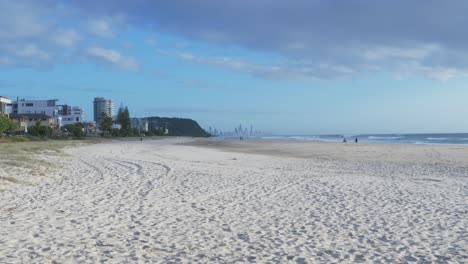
x: 399, y: 153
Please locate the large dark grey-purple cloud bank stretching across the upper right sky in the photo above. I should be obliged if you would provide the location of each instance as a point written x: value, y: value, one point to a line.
x: 319, y: 38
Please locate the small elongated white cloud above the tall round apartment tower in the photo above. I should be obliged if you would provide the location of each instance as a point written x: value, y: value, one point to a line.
x: 112, y: 58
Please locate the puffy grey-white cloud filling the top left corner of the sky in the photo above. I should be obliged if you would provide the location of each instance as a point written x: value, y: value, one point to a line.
x: 30, y: 37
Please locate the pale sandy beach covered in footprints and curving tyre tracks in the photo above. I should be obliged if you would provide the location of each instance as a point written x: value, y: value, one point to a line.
x: 211, y: 201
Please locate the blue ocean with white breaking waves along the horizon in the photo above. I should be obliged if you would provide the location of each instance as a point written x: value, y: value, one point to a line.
x: 428, y: 139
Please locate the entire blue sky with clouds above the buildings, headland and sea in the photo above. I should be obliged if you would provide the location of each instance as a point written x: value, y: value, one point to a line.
x: 297, y: 67
